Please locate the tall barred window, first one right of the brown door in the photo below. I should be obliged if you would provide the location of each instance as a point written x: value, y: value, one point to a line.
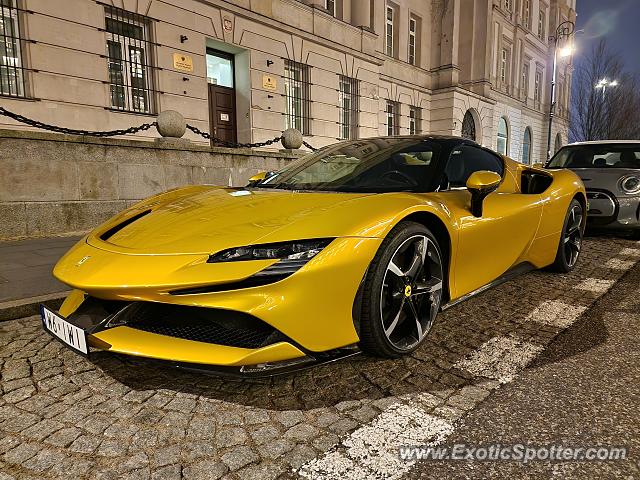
x: 296, y: 91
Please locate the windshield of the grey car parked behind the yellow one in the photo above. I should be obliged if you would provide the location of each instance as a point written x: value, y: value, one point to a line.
x: 614, y: 155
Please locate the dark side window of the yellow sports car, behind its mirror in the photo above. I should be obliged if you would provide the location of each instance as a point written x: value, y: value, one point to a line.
x: 465, y: 160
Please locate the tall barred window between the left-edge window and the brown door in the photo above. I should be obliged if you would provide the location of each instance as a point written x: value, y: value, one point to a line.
x: 129, y: 56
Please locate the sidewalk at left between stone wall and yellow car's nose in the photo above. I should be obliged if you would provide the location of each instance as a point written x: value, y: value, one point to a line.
x: 25, y: 275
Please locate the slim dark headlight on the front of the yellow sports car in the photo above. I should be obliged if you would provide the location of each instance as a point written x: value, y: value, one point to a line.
x: 302, y: 250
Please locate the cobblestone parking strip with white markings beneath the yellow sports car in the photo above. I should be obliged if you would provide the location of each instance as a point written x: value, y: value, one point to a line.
x: 63, y: 416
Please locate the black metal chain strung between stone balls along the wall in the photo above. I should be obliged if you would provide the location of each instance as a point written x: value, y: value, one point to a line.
x: 145, y: 126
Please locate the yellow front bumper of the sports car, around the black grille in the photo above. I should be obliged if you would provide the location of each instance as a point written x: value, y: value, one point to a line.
x: 312, y: 310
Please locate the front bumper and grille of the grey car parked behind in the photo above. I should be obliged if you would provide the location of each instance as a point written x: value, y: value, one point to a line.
x: 612, y: 212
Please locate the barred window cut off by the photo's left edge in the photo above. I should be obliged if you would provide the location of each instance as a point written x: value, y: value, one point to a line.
x: 12, y: 72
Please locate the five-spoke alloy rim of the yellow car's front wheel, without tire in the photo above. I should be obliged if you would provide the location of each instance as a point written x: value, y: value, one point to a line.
x: 411, y: 292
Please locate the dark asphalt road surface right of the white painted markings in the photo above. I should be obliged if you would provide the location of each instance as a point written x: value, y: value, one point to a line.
x: 582, y: 391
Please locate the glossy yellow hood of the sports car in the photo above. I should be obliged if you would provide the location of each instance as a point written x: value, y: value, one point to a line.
x: 210, y: 219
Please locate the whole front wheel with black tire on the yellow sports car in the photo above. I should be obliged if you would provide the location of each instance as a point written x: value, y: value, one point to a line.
x: 402, y: 292
